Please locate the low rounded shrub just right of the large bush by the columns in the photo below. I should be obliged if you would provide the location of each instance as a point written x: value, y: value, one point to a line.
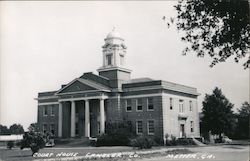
x: 142, y: 142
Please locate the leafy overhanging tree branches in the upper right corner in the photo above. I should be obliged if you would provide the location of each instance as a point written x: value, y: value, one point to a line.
x: 217, y: 28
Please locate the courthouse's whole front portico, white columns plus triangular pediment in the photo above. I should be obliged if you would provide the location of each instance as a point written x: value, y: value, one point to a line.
x: 81, y: 104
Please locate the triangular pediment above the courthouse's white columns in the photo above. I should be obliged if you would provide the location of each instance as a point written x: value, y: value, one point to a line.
x: 76, y: 86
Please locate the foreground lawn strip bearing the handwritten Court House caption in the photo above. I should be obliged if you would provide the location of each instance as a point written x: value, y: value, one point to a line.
x: 25, y: 155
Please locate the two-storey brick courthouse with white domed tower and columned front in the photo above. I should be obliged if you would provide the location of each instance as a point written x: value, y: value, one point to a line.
x: 84, y: 106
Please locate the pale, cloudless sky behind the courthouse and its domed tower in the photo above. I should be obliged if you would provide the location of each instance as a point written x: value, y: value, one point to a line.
x: 46, y: 44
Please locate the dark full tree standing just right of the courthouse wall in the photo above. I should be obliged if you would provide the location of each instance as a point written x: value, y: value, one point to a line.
x: 217, y: 113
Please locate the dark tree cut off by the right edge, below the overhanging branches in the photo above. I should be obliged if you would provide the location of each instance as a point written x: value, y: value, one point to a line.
x: 243, y: 116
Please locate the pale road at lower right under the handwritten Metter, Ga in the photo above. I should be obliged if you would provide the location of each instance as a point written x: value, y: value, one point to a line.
x: 209, y: 153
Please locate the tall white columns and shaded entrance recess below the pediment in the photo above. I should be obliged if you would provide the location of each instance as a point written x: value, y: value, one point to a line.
x: 82, y: 118
